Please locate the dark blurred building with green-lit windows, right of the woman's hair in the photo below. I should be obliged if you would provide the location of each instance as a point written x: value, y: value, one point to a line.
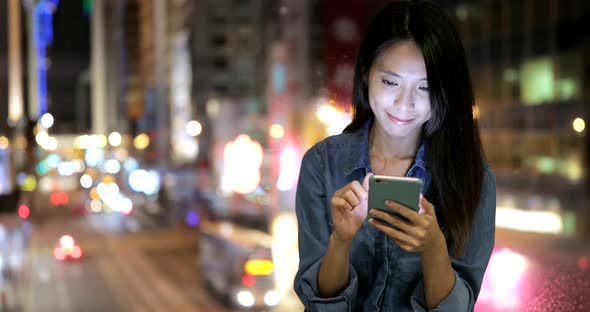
x: 529, y: 64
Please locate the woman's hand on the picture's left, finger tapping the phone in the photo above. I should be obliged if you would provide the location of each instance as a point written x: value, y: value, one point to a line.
x: 349, y: 209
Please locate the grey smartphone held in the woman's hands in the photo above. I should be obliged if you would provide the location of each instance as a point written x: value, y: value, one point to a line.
x: 403, y: 190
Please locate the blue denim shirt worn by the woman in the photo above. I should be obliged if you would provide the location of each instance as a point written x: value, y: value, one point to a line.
x: 382, y: 276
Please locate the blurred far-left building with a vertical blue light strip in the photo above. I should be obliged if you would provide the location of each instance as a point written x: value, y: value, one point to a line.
x: 49, y: 65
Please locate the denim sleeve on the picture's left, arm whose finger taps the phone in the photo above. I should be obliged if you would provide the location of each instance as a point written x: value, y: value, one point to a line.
x: 314, y: 236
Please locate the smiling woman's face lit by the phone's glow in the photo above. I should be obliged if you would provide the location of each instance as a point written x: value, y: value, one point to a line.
x: 398, y: 90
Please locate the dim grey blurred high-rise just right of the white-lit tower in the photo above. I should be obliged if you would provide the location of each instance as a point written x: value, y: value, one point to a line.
x: 228, y: 42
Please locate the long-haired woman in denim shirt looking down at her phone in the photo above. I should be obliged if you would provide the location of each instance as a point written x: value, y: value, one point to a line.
x: 413, y: 116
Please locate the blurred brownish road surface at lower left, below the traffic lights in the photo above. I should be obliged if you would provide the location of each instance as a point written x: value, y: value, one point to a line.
x: 153, y: 269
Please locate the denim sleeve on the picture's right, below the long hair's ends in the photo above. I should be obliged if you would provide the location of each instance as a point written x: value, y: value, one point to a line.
x: 469, y: 269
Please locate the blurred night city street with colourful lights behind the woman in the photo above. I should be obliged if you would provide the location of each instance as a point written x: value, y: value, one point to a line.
x: 150, y: 149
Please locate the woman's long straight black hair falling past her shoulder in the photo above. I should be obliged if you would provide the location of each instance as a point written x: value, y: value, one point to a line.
x: 453, y: 145
